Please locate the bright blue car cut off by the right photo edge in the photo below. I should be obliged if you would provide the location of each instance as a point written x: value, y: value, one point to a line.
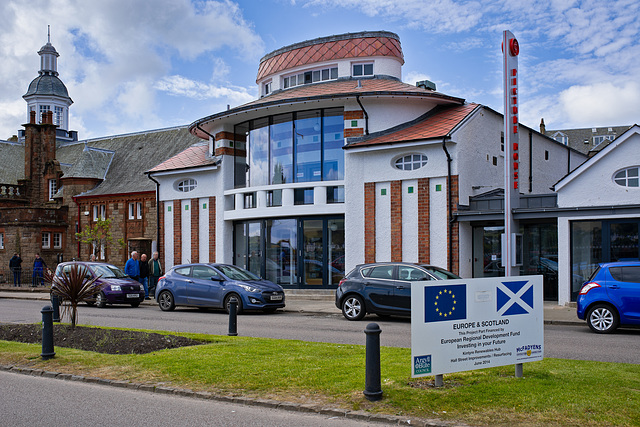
x: 611, y: 297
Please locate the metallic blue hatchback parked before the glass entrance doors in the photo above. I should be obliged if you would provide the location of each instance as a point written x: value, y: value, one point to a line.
x: 213, y: 286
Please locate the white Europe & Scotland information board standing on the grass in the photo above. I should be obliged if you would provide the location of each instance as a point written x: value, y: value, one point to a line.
x: 464, y: 324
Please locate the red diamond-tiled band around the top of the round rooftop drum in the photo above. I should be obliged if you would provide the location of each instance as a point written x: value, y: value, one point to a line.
x: 328, y: 49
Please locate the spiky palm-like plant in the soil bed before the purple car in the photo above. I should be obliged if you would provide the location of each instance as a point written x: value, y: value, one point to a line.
x: 73, y: 286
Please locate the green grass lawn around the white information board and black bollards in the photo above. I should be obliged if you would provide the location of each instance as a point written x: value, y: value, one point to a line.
x: 552, y: 392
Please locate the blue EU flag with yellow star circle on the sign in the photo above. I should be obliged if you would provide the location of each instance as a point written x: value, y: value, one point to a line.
x: 448, y: 302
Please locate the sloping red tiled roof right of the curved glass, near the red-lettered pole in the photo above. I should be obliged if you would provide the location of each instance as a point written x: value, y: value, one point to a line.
x: 436, y: 125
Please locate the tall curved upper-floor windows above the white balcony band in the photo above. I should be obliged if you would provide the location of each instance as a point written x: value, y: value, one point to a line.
x: 304, y: 146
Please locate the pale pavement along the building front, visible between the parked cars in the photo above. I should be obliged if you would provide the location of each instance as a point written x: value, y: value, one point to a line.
x: 310, y: 301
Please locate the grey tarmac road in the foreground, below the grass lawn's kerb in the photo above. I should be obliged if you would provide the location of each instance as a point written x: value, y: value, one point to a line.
x: 31, y: 401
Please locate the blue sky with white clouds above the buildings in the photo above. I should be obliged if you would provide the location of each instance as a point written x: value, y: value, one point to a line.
x: 135, y: 65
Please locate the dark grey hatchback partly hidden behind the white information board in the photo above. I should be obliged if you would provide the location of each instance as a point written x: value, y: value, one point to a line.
x: 383, y: 288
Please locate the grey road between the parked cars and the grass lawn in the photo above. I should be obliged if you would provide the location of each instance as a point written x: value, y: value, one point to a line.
x: 568, y: 342
